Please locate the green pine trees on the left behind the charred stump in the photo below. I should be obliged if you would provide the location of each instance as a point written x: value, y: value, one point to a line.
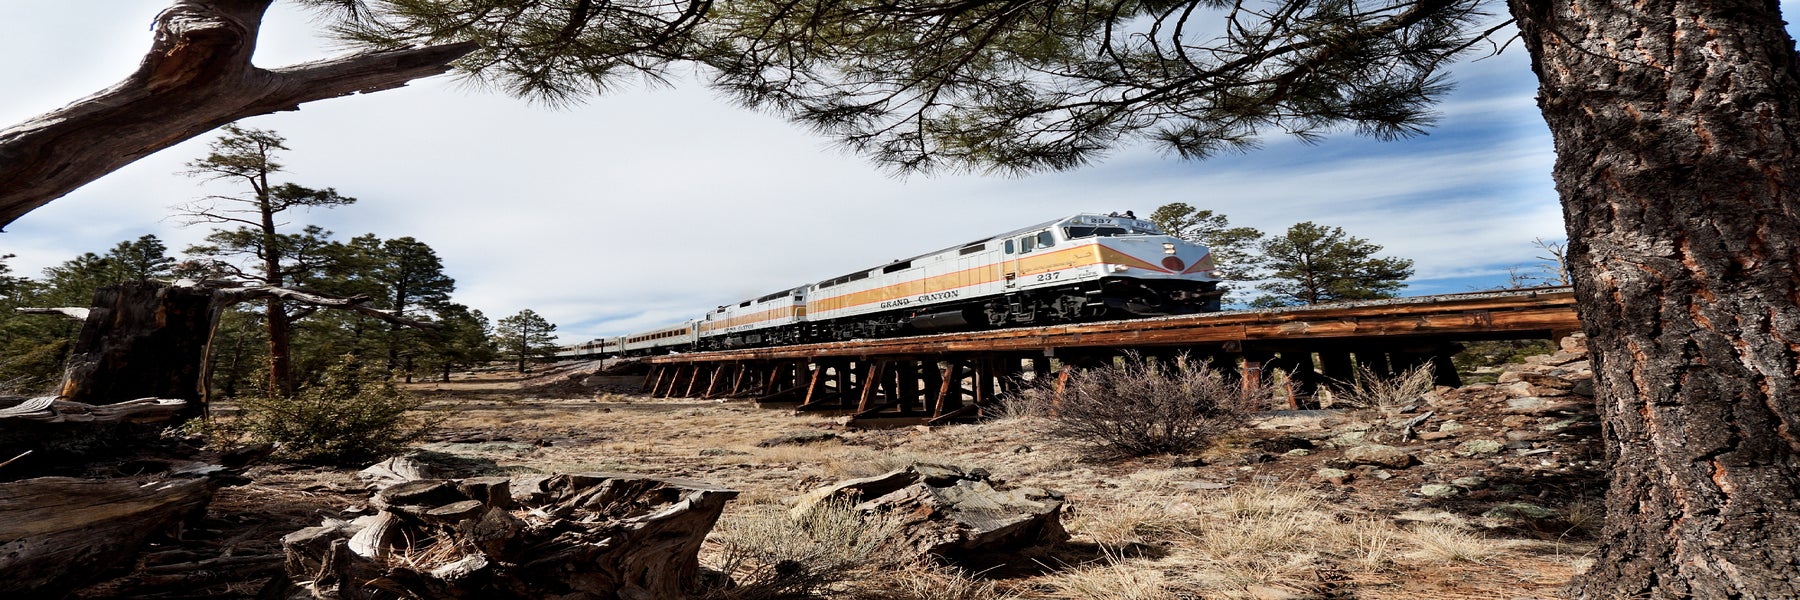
x: 273, y: 349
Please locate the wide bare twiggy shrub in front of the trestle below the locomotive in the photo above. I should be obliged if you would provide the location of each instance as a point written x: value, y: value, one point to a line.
x: 1138, y: 408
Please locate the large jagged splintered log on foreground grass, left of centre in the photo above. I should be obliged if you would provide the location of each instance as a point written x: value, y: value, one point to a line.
x: 571, y: 536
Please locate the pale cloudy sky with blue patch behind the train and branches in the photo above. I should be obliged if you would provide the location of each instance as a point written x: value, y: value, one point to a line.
x: 652, y: 206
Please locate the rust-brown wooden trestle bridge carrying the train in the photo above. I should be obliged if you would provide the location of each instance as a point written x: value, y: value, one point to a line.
x: 949, y: 377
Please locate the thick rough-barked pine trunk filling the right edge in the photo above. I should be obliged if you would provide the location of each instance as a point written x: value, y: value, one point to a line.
x: 1675, y: 131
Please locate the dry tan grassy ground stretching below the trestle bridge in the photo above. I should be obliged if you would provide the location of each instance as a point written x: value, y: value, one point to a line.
x: 1245, y: 520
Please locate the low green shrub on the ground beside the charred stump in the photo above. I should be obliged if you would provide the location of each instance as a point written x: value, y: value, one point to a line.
x: 348, y: 417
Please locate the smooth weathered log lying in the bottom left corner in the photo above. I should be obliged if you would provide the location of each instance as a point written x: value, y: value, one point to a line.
x: 62, y: 532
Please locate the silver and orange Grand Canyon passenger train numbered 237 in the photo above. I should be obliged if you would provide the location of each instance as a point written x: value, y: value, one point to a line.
x: 1084, y: 268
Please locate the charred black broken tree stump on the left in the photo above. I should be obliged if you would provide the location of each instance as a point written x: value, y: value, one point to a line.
x: 141, y: 341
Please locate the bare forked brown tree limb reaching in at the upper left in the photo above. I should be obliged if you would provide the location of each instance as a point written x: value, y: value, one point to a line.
x: 197, y: 77
